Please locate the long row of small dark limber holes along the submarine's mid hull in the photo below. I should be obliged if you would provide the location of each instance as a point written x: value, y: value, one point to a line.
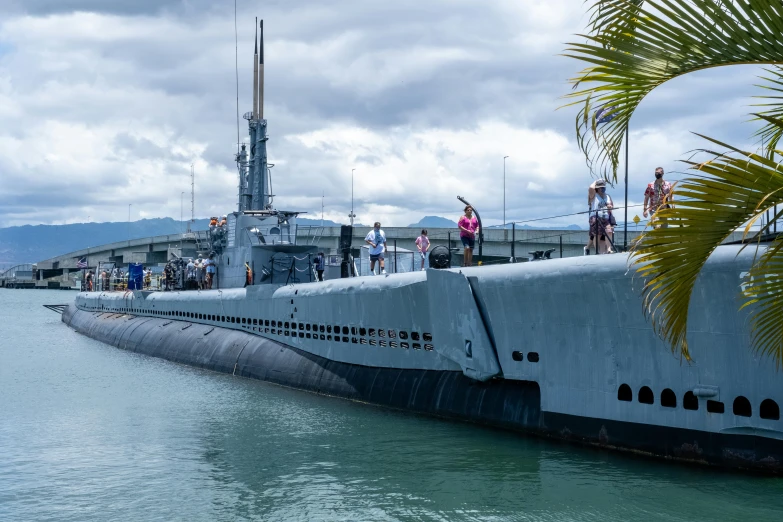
x: 307, y: 330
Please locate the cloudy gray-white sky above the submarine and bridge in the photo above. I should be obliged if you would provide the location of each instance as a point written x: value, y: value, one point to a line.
x: 105, y: 103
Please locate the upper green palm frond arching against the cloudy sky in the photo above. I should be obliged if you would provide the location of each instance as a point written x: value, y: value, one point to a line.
x: 635, y: 46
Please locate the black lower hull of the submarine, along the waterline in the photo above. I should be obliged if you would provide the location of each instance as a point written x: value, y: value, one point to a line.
x: 501, y: 403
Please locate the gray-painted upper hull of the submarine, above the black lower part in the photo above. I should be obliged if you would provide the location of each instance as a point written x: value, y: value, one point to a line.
x: 574, y: 326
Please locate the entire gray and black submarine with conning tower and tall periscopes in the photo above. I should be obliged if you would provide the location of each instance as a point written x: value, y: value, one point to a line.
x: 559, y: 348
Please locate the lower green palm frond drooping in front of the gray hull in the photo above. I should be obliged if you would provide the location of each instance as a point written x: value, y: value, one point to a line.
x: 729, y: 190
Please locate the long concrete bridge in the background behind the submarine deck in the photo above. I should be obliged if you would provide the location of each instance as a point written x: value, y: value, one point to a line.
x: 156, y: 250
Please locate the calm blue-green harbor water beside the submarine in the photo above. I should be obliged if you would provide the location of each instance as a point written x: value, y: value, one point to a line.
x: 90, y: 432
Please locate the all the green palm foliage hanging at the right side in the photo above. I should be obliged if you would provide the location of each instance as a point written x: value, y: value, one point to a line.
x: 632, y: 47
